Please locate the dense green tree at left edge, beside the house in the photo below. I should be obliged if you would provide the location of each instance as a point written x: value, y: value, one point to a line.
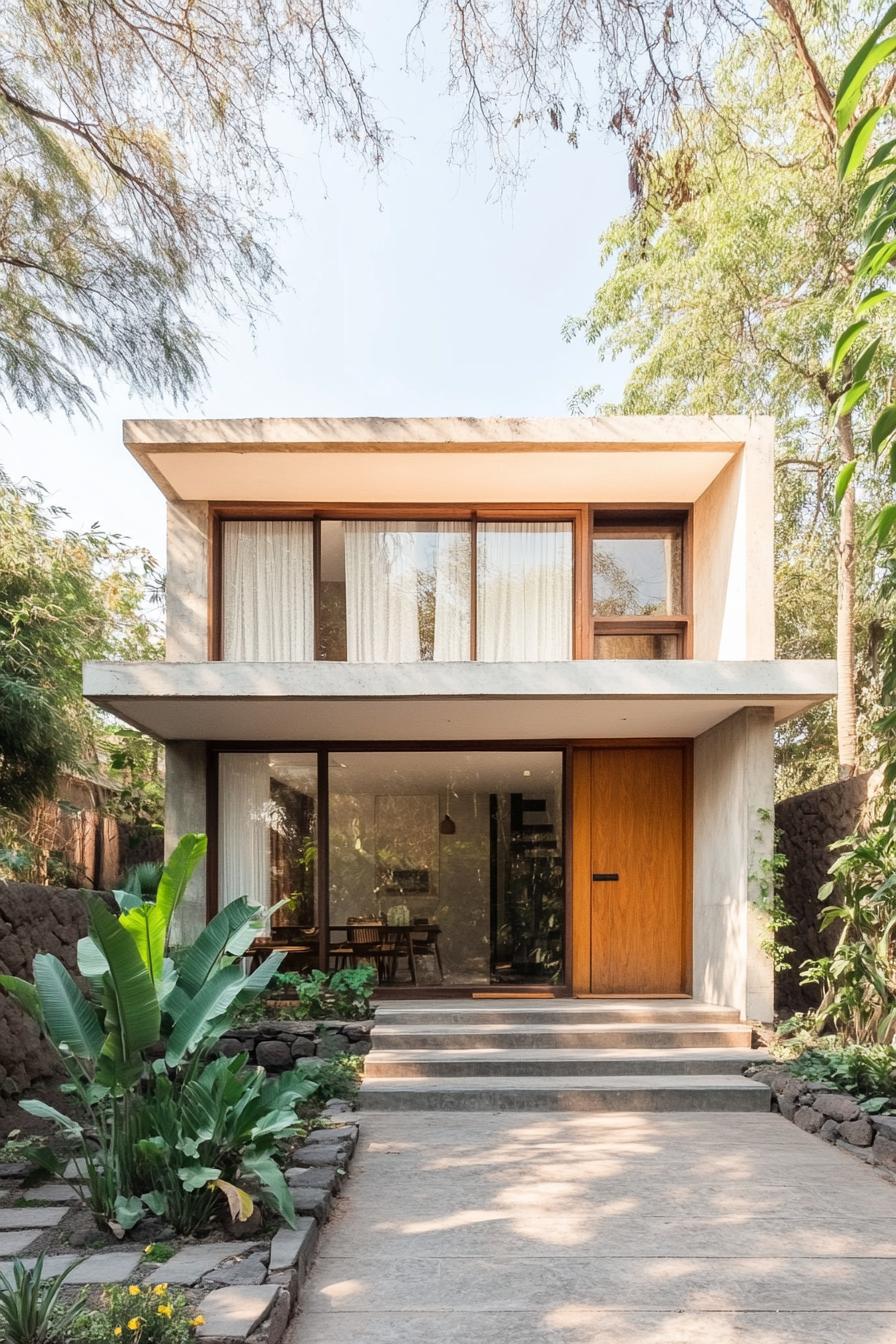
x: 65, y: 597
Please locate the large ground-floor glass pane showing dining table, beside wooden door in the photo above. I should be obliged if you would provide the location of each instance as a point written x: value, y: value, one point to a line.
x: 452, y: 859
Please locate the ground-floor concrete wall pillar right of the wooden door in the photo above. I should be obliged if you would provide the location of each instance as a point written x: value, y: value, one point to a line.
x: 733, y: 843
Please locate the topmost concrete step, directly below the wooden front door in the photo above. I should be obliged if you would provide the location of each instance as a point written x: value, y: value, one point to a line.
x: 578, y: 1011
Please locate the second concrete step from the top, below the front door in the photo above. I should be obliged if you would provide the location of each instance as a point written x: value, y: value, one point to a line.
x: 564, y: 1037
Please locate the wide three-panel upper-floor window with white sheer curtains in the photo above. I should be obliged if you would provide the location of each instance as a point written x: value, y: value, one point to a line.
x: 392, y: 591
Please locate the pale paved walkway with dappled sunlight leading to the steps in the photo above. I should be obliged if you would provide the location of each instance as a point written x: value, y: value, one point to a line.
x: 570, y: 1229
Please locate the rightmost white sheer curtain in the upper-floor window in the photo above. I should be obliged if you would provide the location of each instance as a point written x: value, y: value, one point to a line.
x: 525, y: 592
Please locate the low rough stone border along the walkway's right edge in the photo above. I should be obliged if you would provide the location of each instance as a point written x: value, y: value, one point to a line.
x: 820, y: 1109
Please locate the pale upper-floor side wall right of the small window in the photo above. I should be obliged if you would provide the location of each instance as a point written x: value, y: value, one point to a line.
x: 734, y: 612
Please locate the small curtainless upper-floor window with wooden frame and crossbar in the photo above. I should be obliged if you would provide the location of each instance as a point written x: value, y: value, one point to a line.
x: 639, y: 588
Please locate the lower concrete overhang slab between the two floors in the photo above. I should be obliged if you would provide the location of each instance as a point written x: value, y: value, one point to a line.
x: 448, y: 702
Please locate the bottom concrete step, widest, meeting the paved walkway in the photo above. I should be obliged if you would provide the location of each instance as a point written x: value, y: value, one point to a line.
x: 659, y: 1092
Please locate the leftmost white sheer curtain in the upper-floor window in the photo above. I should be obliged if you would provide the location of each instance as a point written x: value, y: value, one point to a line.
x: 268, y: 592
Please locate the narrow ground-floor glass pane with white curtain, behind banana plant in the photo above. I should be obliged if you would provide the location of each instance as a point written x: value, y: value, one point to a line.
x: 268, y: 842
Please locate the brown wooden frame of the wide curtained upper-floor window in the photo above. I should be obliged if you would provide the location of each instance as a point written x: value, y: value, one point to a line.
x: 580, y: 515
